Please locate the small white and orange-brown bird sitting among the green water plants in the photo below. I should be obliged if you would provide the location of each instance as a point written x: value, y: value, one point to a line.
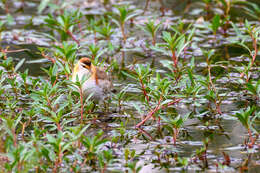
x: 97, y: 81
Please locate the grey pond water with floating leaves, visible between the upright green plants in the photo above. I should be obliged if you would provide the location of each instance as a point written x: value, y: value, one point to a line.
x: 222, y: 136
